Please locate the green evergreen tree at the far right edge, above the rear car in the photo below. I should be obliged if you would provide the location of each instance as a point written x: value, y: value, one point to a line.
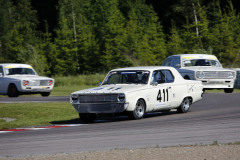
x: 226, y: 33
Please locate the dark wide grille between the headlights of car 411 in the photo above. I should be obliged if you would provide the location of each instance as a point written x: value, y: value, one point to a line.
x: 98, y: 98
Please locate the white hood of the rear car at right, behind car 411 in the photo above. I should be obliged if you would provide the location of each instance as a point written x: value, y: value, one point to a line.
x: 205, y: 68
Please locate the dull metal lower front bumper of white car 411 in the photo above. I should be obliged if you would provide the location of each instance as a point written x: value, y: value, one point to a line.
x: 100, y: 107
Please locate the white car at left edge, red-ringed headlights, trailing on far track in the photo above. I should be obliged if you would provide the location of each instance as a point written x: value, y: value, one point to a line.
x: 16, y: 79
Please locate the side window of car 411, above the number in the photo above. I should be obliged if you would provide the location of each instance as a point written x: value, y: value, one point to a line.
x: 163, y: 76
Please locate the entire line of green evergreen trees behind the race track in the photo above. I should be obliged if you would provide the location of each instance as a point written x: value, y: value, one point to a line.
x: 92, y: 36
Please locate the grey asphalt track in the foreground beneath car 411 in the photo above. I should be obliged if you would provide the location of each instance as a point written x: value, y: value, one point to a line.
x: 216, y: 118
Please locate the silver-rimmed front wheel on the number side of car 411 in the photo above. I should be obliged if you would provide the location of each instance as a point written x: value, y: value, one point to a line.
x: 138, y: 111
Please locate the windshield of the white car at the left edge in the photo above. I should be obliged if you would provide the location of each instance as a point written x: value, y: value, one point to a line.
x: 20, y: 71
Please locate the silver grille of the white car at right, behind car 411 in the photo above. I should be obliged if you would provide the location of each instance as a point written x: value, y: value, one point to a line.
x: 216, y: 74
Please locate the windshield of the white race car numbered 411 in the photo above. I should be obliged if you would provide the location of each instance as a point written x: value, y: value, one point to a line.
x: 127, y: 77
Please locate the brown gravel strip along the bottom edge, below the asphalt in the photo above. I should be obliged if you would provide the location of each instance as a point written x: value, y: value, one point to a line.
x: 209, y: 152
